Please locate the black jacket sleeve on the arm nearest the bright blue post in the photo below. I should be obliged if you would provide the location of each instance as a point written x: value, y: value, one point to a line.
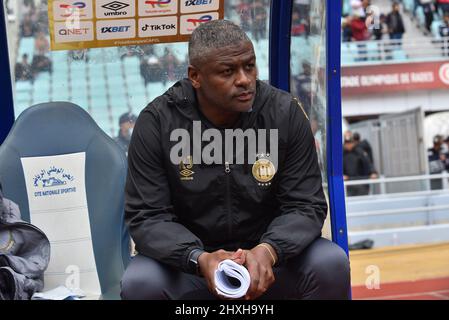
x: 303, y: 207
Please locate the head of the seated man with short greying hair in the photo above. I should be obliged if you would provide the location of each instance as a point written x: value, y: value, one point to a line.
x: 222, y: 66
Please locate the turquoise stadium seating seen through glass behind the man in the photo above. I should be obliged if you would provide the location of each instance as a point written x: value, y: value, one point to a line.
x: 108, y: 83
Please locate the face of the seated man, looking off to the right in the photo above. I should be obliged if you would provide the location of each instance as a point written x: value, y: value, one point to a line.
x: 226, y: 78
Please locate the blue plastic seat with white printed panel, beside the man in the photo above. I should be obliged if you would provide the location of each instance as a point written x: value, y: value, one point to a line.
x: 41, y: 135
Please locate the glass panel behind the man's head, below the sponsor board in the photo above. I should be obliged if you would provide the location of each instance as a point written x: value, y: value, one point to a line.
x: 108, y: 82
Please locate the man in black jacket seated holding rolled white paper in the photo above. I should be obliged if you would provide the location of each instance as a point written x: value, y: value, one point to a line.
x: 195, y: 196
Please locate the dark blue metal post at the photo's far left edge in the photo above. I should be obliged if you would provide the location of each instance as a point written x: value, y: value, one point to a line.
x: 6, y: 94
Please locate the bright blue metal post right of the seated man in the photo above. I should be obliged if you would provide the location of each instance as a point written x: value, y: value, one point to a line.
x: 334, y: 127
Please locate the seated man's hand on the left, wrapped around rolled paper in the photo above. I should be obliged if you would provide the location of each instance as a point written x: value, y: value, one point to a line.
x: 209, y: 263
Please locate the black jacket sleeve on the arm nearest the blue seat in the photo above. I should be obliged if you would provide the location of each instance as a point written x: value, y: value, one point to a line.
x: 148, y: 209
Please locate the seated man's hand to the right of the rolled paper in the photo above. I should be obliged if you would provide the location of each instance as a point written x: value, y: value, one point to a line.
x: 259, y: 263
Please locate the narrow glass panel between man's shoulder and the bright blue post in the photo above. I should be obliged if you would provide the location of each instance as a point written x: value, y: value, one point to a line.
x: 308, y: 71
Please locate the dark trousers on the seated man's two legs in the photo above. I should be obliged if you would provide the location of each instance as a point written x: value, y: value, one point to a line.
x: 321, y: 271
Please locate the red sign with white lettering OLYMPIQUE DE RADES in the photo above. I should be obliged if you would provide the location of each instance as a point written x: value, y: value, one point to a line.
x: 384, y: 78
